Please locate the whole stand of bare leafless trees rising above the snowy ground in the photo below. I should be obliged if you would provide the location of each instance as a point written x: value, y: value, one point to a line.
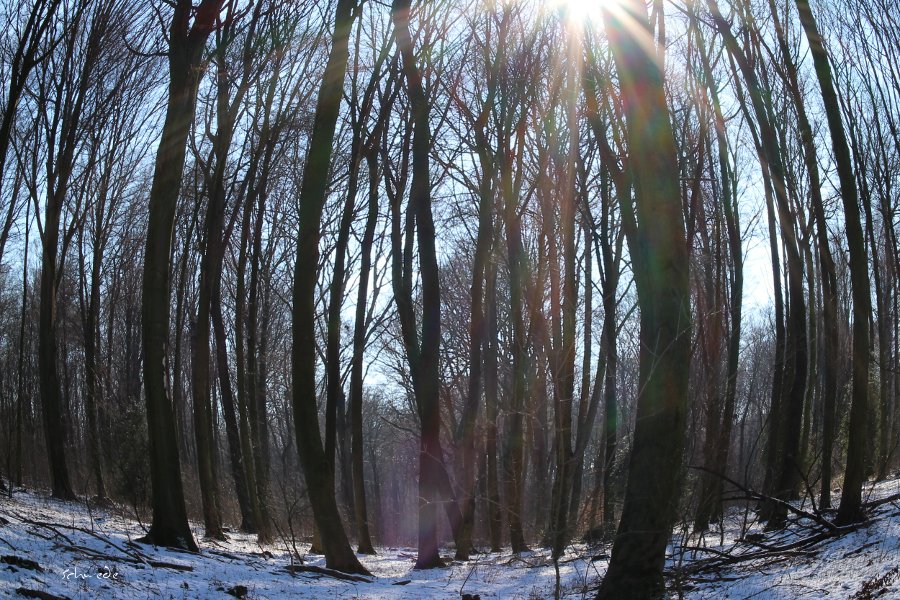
x: 313, y: 268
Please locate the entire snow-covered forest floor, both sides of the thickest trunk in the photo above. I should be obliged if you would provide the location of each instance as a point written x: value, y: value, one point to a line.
x: 52, y: 549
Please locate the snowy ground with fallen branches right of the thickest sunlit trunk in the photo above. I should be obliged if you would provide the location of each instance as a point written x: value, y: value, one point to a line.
x: 861, y: 563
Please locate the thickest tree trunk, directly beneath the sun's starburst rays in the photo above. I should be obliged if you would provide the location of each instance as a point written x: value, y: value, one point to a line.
x: 661, y: 274
